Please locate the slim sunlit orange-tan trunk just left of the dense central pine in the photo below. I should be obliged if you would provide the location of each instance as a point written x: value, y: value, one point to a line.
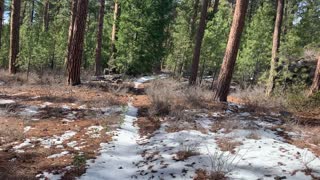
x: 114, y: 31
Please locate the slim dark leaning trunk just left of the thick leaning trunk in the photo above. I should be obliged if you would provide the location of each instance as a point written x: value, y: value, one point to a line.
x: 199, y: 38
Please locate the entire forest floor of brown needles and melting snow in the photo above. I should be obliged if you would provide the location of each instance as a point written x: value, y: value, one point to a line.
x: 94, y: 132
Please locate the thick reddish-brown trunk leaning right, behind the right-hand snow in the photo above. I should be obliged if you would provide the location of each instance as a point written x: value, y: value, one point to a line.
x: 230, y: 57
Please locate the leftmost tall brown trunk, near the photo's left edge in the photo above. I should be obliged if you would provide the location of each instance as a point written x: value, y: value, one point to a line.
x: 14, y: 35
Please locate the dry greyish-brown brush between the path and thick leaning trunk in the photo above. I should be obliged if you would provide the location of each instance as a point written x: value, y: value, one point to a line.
x: 169, y: 95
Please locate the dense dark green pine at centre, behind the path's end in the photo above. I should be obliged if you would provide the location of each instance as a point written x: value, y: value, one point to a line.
x: 142, y: 35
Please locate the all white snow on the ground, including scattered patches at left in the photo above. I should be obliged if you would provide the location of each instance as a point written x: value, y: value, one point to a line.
x: 261, y: 154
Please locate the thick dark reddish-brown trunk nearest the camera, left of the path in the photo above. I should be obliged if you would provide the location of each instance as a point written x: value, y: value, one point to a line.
x: 76, y: 52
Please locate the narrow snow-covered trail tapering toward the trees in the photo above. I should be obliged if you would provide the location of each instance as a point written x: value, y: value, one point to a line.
x: 119, y: 156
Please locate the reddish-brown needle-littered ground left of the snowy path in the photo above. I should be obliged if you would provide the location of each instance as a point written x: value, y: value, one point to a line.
x: 57, y: 109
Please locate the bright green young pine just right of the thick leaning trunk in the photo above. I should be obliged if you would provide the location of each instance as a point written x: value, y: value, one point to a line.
x: 254, y: 58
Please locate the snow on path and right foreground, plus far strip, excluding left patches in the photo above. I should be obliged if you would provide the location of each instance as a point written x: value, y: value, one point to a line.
x: 267, y: 157
